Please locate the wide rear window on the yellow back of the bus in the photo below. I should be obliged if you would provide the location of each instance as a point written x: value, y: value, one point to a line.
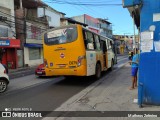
x: 61, y: 36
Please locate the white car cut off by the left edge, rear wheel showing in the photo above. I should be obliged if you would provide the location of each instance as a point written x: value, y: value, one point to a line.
x: 4, y: 79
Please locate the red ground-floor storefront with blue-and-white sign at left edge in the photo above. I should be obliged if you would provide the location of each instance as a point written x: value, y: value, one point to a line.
x: 8, y: 52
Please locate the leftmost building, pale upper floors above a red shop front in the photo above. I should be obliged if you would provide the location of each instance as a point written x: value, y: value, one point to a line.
x: 9, y: 45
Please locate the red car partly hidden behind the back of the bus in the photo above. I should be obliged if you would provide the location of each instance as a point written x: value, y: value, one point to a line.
x: 40, y: 70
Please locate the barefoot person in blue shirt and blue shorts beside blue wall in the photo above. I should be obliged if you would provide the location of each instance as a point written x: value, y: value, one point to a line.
x: 134, y: 68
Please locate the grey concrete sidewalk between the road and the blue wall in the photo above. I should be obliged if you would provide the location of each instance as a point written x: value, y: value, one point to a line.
x: 109, y: 94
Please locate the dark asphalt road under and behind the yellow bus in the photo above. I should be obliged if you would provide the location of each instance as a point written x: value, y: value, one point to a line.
x: 47, y: 96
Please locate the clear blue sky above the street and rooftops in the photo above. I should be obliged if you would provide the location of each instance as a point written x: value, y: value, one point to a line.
x: 122, y: 22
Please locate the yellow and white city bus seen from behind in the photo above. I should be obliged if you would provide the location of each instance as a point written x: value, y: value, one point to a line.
x: 76, y: 51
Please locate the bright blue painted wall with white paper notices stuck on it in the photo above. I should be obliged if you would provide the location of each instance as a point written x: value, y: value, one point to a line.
x: 149, y: 66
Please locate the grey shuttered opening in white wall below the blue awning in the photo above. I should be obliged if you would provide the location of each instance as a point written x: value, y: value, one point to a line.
x: 34, y: 53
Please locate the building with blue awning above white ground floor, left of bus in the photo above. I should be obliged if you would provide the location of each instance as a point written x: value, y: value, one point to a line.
x: 29, y: 29
